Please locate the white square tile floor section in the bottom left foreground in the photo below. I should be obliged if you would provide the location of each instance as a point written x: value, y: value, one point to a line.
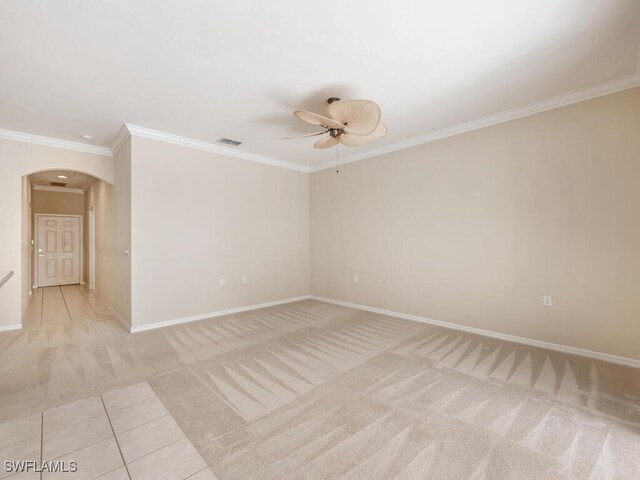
x: 124, y: 434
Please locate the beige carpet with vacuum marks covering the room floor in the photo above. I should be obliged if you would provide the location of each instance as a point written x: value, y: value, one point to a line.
x: 312, y: 390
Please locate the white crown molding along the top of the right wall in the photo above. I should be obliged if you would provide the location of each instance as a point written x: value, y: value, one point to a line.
x: 558, y: 101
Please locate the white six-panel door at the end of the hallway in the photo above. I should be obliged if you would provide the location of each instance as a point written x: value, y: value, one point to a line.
x: 58, y: 250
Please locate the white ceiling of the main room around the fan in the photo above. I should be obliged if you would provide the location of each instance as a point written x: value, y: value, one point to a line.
x: 207, y: 69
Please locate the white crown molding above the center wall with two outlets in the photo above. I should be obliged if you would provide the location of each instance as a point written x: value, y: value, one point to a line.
x: 137, y: 131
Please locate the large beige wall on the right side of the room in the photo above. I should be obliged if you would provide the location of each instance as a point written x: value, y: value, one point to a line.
x: 476, y: 228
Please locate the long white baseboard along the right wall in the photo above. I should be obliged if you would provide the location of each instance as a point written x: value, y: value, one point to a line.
x: 606, y: 357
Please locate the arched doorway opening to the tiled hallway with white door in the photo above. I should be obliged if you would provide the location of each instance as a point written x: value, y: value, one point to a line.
x: 61, y: 228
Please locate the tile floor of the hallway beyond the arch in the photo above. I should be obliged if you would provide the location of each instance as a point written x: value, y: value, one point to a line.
x: 68, y: 303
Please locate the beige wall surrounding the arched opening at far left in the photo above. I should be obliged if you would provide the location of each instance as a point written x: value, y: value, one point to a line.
x: 18, y: 159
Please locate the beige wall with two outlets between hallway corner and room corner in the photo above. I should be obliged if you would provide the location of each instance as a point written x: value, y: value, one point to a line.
x: 198, y: 217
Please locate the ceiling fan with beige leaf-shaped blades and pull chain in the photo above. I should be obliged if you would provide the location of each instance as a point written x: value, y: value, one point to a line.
x: 350, y: 122
